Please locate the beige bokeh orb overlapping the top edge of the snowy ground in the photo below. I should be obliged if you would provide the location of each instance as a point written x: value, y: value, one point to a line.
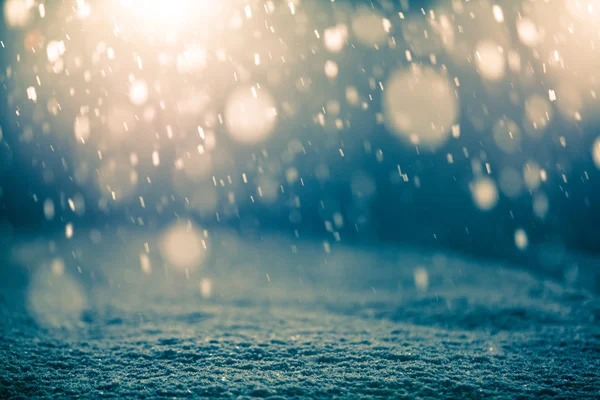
x: 183, y: 246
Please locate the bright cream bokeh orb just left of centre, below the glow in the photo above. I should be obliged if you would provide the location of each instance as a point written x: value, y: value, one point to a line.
x: 250, y: 115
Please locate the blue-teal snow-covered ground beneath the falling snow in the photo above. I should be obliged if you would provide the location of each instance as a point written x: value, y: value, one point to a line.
x: 285, y: 322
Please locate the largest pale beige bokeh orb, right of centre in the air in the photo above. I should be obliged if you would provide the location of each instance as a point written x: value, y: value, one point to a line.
x: 420, y: 105
